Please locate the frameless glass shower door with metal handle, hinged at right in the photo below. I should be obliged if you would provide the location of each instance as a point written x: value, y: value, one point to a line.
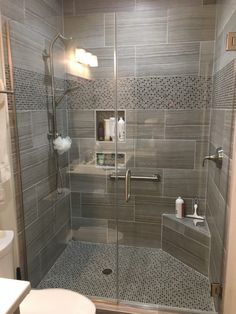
x: 166, y: 93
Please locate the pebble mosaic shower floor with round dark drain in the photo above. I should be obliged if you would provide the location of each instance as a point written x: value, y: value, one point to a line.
x: 145, y: 275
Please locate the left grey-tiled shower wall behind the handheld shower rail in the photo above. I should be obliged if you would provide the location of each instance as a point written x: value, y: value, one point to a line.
x: 46, y: 214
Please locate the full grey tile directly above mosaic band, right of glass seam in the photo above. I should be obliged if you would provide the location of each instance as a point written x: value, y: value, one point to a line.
x: 167, y: 59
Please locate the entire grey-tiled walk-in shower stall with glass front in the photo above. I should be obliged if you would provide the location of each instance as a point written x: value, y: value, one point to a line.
x: 112, y: 233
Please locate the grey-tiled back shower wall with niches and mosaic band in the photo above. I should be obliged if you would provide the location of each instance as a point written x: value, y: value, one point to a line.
x: 164, y: 83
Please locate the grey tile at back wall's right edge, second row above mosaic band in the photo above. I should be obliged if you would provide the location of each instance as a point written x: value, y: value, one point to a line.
x: 181, y: 27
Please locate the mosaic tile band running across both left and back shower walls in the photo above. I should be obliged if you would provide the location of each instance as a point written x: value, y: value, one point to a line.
x: 33, y: 92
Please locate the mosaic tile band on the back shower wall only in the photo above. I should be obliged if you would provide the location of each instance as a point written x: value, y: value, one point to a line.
x: 172, y: 92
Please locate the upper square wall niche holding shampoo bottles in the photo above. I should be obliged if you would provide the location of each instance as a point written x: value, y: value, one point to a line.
x: 102, y: 117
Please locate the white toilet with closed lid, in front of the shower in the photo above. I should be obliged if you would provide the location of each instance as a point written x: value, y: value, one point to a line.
x: 45, y: 301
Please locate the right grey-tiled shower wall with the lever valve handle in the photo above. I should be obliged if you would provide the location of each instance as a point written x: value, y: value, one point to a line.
x: 222, y: 117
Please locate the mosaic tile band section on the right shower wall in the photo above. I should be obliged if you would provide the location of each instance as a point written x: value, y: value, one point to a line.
x: 224, y: 87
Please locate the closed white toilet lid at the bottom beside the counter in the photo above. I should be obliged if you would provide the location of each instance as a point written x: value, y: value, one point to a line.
x: 58, y: 301
